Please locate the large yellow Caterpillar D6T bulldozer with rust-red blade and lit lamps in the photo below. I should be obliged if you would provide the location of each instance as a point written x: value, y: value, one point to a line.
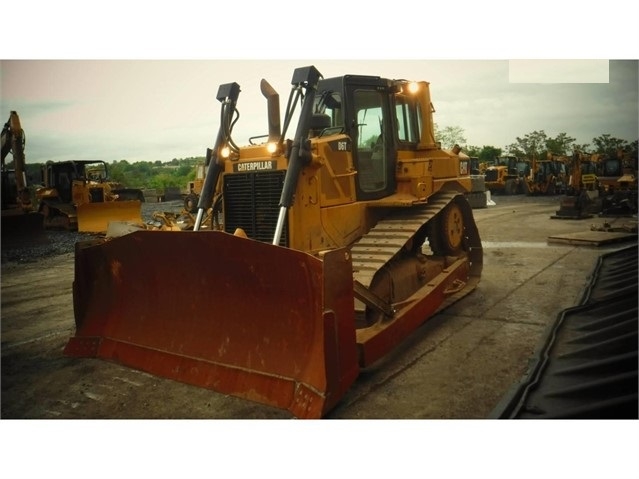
x: 333, y: 247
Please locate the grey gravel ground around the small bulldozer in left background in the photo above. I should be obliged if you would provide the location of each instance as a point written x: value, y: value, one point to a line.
x: 58, y: 242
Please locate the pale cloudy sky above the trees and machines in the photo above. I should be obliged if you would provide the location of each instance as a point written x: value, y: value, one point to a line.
x: 163, y: 109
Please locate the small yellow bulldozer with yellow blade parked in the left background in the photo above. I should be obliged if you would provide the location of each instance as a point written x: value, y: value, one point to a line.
x: 78, y: 195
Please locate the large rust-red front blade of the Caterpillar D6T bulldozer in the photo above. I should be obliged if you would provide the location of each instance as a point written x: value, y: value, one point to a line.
x: 249, y: 319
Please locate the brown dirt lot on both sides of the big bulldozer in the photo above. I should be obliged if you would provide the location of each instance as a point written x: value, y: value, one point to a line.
x: 457, y: 365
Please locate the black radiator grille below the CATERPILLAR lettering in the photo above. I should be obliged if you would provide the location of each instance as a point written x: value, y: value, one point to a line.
x: 251, y: 202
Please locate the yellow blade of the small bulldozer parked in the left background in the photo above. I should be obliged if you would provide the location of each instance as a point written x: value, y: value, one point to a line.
x: 95, y: 217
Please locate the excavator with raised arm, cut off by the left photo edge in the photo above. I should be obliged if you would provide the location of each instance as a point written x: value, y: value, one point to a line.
x: 20, y: 221
